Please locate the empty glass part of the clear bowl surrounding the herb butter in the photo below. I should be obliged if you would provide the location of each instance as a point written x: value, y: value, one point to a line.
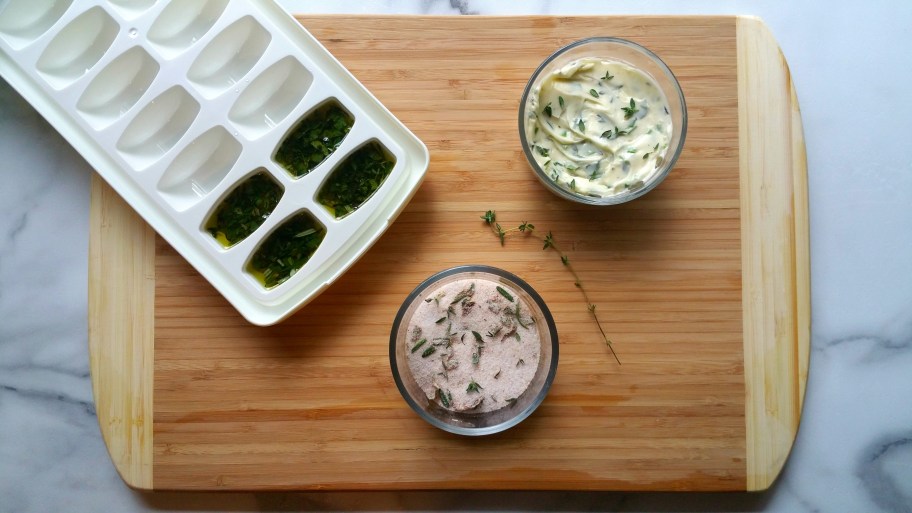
x: 636, y: 56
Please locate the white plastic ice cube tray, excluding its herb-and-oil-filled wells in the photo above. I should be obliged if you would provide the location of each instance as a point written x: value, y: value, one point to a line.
x: 175, y: 103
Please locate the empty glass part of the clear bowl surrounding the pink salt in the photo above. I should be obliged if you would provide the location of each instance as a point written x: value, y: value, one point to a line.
x: 468, y: 423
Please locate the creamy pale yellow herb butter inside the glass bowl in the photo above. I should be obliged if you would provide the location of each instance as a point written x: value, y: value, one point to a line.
x: 598, y: 127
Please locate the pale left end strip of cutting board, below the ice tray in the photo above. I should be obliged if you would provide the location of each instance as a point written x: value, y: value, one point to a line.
x: 121, y: 323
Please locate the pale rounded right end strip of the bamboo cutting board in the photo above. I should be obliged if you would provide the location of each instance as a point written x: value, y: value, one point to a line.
x: 775, y: 252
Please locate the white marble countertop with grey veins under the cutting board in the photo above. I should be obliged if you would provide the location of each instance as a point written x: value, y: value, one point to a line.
x: 851, y: 66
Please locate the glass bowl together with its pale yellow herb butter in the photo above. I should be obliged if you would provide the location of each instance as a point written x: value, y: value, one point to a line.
x: 602, y: 121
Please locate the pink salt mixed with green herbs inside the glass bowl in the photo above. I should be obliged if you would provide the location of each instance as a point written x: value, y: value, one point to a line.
x: 473, y: 345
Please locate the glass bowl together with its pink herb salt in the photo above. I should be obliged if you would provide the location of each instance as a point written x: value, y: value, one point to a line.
x: 492, y: 366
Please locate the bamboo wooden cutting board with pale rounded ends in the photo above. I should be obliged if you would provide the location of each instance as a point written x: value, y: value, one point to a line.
x: 703, y: 286
